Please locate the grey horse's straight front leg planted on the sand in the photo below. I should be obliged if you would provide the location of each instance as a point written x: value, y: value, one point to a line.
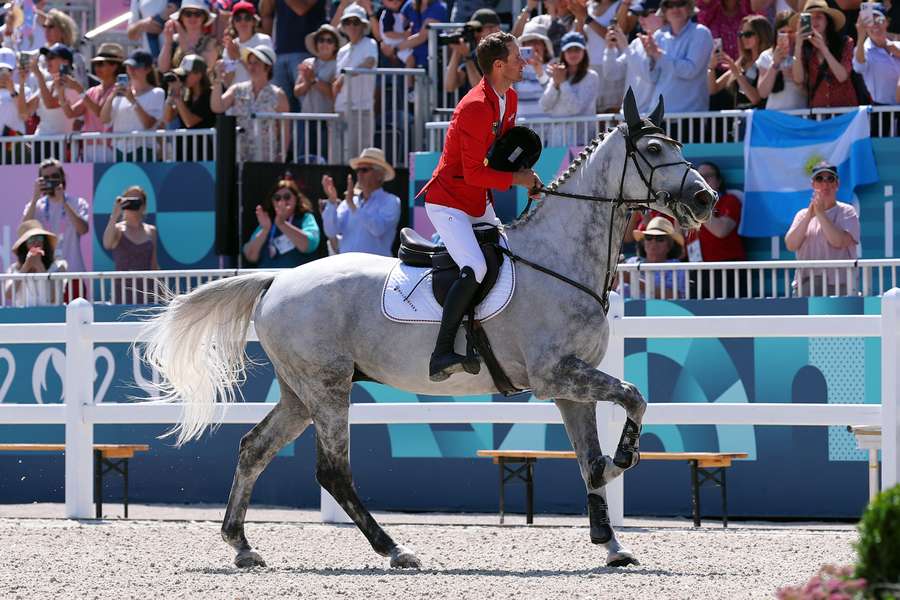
x: 580, y: 419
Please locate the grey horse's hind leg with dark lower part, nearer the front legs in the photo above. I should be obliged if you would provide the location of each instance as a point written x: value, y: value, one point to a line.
x: 333, y: 474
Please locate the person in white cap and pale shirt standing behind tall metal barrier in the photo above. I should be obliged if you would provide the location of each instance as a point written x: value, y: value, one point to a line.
x: 355, y: 95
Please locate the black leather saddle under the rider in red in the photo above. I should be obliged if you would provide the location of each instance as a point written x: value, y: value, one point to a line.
x: 416, y: 251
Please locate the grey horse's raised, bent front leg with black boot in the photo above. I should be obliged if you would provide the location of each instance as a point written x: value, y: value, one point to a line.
x: 576, y: 380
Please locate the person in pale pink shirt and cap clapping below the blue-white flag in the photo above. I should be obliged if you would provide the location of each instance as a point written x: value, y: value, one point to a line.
x: 825, y: 230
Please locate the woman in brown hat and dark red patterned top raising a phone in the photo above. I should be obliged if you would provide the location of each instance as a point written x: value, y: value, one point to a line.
x: 823, y: 56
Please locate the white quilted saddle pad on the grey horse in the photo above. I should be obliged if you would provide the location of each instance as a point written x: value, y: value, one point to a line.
x: 407, y: 295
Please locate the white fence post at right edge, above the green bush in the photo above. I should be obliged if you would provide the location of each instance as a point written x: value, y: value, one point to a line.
x: 890, y: 388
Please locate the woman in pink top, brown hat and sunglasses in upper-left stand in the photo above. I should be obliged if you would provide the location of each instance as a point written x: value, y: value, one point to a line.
x: 107, y: 64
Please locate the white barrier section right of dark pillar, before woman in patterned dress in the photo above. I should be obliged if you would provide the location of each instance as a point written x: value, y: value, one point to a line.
x: 312, y: 138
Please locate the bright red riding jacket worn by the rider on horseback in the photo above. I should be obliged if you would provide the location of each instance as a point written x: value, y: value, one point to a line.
x: 462, y: 178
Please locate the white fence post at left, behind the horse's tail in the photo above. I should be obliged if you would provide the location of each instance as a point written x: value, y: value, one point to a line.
x: 78, y: 390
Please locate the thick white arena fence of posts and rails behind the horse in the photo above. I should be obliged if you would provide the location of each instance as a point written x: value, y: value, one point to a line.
x: 80, y: 412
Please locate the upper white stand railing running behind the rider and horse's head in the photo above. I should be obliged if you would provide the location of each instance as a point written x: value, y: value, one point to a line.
x: 688, y: 128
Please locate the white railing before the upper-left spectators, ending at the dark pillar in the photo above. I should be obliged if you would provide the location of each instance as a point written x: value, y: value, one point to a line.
x: 174, y: 145
